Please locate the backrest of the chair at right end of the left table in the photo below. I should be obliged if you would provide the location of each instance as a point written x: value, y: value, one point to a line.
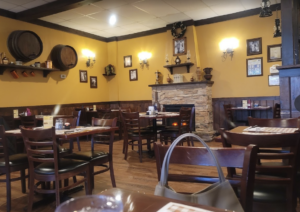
x: 105, y: 123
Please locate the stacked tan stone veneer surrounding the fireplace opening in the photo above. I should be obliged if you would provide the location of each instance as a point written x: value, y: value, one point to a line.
x: 197, y: 93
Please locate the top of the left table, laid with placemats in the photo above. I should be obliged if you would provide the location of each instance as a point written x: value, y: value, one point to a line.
x: 69, y: 133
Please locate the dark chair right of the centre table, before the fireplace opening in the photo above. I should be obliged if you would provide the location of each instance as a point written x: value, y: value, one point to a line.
x: 184, y: 122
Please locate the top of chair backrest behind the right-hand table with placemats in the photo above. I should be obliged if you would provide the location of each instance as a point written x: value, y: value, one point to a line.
x: 286, y: 123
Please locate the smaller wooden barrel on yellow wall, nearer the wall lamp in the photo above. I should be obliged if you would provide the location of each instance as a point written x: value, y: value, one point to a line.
x: 64, y: 57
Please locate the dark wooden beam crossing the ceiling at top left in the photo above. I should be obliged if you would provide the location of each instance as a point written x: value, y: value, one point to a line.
x: 51, y: 8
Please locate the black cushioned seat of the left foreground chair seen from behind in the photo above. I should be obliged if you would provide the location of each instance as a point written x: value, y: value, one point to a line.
x: 65, y: 165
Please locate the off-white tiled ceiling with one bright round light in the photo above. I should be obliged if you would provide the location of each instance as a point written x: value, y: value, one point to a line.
x: 134, y: 16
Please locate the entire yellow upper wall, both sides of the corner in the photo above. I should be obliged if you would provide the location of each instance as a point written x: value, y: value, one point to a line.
x: 202, y: 41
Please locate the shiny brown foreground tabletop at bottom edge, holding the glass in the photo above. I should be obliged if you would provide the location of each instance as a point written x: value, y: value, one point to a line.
x: 139, y: 202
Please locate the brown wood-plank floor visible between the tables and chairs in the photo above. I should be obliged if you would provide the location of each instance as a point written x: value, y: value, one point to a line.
x: 130, y: 174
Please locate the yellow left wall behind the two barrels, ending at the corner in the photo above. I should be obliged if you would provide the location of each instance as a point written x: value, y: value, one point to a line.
x: 53, y: 90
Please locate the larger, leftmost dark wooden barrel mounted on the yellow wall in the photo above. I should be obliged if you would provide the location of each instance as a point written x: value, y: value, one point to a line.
x: 24, y: 45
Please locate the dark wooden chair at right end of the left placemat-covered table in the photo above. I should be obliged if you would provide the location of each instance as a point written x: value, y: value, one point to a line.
x: 99, y: 158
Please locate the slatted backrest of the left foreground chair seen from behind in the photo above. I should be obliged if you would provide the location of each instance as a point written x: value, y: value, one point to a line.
x: 35, y: 138
